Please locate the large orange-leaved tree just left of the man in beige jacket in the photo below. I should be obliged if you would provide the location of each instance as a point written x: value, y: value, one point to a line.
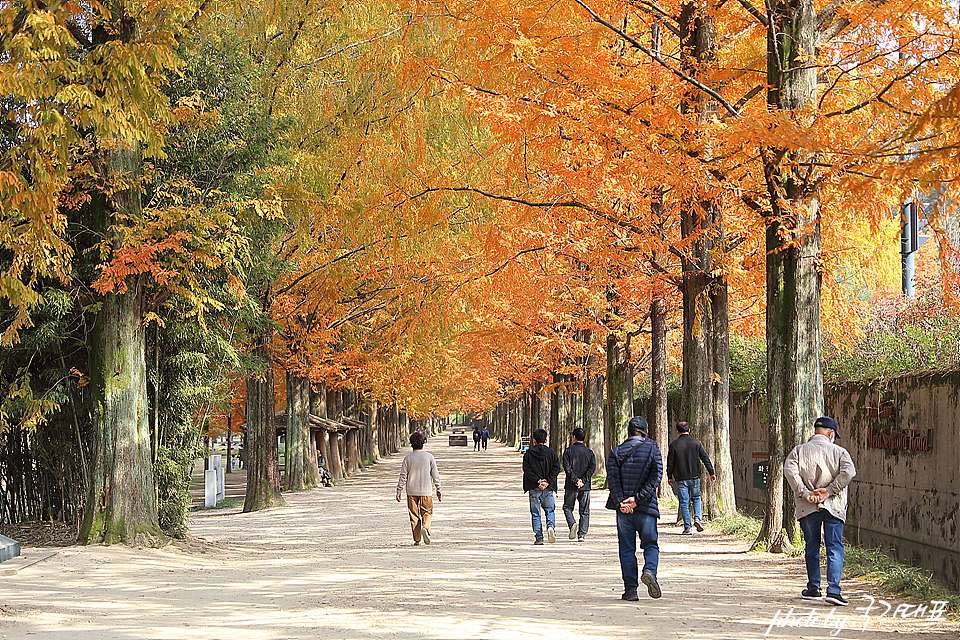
x: 844, y: 82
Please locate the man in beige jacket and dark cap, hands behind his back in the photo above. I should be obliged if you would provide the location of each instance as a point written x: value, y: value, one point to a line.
x: 819, y: 472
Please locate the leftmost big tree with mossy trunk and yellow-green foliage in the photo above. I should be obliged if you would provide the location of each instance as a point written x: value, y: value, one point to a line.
x: 84, y: 96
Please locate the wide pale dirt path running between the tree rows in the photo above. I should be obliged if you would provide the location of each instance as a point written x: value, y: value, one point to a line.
x: 339, y: 563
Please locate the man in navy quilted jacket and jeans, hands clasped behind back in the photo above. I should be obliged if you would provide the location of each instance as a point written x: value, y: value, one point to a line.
x: 634, y: 469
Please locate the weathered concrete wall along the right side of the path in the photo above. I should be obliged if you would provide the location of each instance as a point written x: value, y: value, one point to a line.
x: 904, y: 437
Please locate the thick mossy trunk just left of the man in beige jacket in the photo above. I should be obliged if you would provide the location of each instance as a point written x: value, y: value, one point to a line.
x: 794, y: 376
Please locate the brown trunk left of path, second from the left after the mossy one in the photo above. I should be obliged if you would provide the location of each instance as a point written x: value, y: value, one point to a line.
x: 263, y: 457
